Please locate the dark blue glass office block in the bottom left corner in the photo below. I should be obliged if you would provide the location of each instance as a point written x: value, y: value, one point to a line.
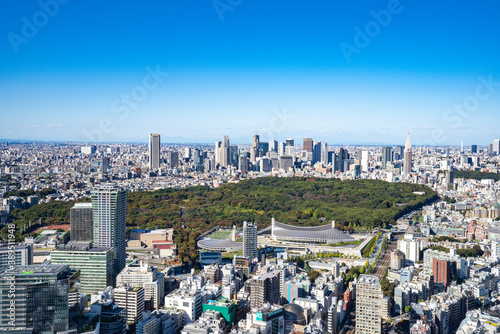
x: 39, y: 302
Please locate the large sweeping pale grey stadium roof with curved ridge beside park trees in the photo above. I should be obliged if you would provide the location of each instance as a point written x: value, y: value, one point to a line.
x: 324, y: 233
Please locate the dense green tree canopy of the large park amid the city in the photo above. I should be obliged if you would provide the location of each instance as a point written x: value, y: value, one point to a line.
x: 353, y: 204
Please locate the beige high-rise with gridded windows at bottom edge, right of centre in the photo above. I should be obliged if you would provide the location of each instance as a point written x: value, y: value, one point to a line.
x: 369, y: 299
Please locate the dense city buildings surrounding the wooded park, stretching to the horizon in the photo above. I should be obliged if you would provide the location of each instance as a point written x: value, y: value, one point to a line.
x: 434, y: 270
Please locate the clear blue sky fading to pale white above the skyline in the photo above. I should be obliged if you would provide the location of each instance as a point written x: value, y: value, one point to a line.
x: 240, y: 67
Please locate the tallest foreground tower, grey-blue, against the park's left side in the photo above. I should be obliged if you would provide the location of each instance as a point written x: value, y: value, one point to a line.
x: 109, y: 210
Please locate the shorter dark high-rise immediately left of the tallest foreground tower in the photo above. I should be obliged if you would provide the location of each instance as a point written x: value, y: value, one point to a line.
x: 81, y: 222
